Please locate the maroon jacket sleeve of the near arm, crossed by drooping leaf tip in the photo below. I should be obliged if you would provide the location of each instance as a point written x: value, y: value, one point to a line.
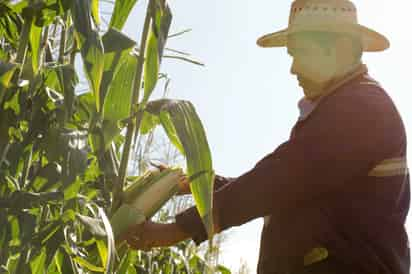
x: 345, y: 137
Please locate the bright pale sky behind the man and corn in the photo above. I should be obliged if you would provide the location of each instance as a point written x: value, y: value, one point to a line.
x: 245, y: 95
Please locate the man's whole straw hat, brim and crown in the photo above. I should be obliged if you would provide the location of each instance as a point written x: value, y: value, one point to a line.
x: 326, y: 16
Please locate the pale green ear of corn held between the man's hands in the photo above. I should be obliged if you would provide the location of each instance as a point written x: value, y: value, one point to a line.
x: 144, y: 197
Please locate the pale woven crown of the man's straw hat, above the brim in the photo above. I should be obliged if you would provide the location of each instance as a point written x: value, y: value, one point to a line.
x: 312, y: 12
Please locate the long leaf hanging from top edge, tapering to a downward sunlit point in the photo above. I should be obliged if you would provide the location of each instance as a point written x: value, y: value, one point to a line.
x: 91, y: 46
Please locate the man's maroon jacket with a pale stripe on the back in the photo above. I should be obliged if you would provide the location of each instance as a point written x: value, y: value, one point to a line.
x: 316, y: 189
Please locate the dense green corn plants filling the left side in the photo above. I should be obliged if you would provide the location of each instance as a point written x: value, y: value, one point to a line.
x: 63, y: 157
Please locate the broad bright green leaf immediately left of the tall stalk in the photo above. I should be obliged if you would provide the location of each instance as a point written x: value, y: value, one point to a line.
x: 117, y: 104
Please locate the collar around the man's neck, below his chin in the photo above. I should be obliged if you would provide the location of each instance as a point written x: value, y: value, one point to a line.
x: 307, y: 106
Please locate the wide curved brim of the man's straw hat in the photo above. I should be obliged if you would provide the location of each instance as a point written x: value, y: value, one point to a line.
x: 371, y: 40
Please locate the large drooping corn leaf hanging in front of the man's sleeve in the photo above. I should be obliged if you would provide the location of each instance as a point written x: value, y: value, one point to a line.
x: 181, y: 121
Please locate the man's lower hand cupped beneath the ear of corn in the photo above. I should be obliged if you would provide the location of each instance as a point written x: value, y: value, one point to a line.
x: 149, y: 234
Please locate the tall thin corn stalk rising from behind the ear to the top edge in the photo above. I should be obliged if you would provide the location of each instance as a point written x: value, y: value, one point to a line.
x: 131, y: 127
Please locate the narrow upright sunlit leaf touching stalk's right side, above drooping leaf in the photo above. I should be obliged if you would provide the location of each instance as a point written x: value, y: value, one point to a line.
x: 151, y: 66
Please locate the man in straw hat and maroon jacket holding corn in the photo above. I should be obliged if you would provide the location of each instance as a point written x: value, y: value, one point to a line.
x: 336, y: 194
